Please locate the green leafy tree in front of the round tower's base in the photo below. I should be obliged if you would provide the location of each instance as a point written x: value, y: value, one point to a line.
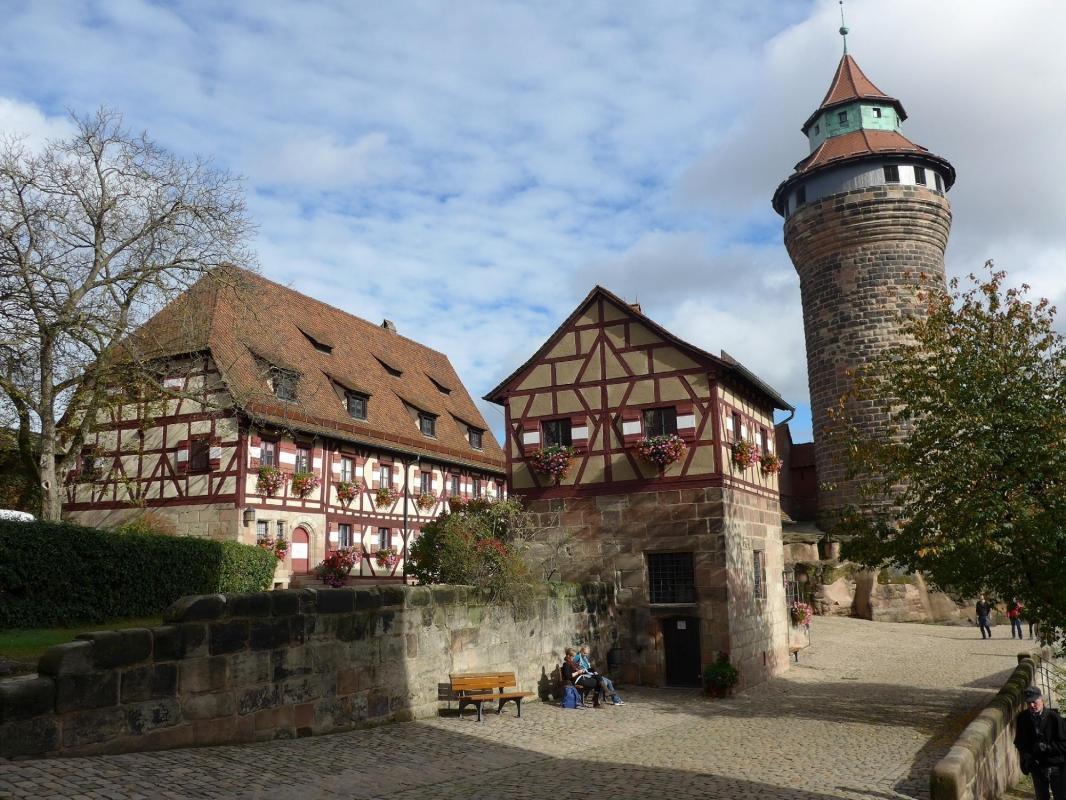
x: 973, y: 465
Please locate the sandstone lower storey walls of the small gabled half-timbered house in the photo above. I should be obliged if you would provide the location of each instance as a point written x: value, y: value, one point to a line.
x: 607, y: 538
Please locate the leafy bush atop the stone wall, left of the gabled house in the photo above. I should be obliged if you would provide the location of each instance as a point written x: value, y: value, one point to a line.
x: 476, y: 543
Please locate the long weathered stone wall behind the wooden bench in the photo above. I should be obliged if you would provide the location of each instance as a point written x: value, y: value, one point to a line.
x: 279, y: 665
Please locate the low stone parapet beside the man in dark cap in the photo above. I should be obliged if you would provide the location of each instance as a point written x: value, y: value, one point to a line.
x: 983, y: 764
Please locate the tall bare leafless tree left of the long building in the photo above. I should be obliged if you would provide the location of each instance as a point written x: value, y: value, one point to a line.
x: 98, y: 233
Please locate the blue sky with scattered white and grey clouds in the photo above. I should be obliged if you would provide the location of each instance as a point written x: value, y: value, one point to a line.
x: 472, y: 170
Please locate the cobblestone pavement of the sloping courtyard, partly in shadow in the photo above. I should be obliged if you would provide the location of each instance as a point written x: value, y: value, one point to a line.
x: 866, y: 714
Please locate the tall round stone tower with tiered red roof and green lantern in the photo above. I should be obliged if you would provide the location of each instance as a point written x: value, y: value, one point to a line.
x: 866, y: 219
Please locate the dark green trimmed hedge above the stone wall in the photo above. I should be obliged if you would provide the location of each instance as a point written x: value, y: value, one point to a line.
x: 55, y: 574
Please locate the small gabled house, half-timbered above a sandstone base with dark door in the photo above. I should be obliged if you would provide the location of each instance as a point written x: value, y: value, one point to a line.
x: 693, y: 547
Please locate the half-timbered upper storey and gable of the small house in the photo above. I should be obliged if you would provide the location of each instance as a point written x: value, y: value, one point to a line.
x: 600, y: 375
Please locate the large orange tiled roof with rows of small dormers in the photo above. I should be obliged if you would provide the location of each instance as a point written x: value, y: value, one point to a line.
x: 250, y: 324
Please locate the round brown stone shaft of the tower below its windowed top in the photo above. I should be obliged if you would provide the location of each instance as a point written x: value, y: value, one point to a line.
x: 858, y: 254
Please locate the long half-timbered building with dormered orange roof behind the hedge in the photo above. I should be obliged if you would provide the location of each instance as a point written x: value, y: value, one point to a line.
x: 281, y: 417
